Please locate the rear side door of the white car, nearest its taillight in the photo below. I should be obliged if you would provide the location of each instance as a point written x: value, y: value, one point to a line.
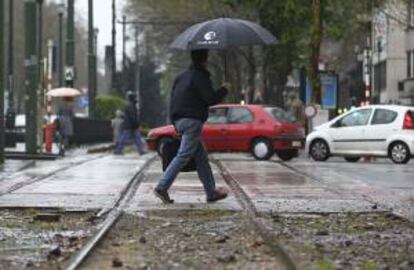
x: 382, y: 126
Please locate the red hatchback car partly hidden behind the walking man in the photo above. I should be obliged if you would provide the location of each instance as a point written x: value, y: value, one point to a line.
x: 260, y: 130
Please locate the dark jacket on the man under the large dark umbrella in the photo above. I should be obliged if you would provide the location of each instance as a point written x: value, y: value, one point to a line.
x: 192, y: 94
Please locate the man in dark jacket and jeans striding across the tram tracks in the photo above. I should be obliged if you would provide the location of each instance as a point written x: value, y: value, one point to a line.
x: 191, y: 96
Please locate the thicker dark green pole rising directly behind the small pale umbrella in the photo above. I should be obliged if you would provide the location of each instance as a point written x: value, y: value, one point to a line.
x: 70, y: 46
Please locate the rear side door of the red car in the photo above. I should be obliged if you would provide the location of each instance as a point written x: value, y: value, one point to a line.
x: 240, y: 120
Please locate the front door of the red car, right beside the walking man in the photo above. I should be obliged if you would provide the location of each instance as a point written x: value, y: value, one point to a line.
x: 215, y: 129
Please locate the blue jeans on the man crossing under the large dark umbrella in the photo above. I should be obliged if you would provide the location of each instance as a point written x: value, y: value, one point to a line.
x: 191, y: 146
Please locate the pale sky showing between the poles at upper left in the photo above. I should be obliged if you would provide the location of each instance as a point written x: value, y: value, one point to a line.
x: 102, y: 21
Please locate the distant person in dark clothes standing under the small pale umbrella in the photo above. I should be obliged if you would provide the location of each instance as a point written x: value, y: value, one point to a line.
x: 65, y: 127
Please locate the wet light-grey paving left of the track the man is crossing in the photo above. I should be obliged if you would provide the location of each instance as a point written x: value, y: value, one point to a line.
x: 93, y: 184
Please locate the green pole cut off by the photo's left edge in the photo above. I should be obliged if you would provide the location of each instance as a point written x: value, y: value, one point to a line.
x: 2, y: 139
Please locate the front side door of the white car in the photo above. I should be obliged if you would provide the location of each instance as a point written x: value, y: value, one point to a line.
x: 348, y: 133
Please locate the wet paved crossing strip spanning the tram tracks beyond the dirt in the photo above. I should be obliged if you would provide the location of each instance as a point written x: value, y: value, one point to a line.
x: 94, y: 181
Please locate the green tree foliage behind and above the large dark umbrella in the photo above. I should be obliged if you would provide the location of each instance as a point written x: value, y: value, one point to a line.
x: 302, y: 27
